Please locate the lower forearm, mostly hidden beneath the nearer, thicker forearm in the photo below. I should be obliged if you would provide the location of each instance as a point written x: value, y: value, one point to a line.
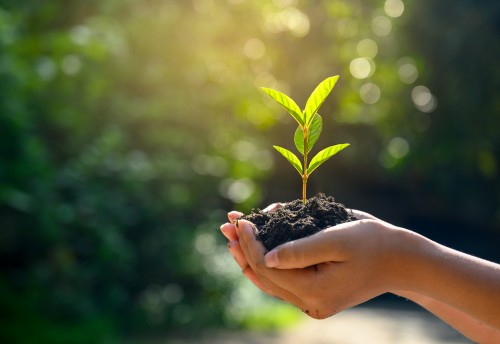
x: 464, y: 323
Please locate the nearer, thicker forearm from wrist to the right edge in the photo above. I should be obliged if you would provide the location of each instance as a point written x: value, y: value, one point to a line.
x: 467, y: 284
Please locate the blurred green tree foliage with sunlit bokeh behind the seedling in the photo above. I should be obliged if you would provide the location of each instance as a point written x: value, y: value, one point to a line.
x: 129, y: 128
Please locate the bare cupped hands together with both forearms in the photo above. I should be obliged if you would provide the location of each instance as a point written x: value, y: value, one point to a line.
x: 365, y: 258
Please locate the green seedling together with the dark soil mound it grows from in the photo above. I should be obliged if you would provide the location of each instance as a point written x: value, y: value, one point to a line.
x: 304, y: 217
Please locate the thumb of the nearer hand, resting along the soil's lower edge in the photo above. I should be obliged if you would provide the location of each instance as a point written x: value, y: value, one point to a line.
x: 315, y: 249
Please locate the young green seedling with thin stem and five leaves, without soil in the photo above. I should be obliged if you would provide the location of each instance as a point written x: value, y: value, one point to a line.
x: 308, y: 131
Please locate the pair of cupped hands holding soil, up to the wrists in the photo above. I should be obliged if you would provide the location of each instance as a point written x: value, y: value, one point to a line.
x: 323, y: 274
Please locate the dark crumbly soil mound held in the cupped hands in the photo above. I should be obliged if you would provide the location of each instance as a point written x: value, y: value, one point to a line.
x: 296, y: 220
